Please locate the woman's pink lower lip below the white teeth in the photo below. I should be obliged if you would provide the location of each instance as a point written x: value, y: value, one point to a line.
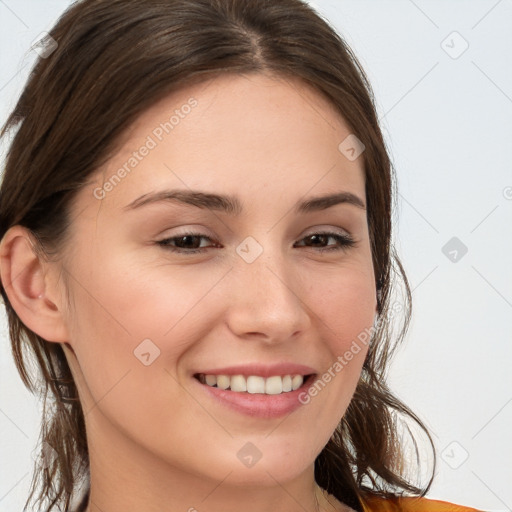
x: 258, y: 404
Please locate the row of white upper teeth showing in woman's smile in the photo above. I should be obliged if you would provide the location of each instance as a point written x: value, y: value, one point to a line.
x: 254, y: 383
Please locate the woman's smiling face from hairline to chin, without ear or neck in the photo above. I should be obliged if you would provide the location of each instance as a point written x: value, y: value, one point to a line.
x: 249, y: 293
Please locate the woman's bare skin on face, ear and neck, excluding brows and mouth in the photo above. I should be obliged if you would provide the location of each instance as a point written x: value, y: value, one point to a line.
x: 157, y: 441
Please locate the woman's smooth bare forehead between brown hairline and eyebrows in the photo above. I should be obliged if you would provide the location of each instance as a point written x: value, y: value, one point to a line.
x: 243, y: 134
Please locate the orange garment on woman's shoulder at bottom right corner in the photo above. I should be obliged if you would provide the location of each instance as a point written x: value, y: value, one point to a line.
x: 375, y: 504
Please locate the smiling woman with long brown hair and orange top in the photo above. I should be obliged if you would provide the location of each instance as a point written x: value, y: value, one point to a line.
x: 196, y: 222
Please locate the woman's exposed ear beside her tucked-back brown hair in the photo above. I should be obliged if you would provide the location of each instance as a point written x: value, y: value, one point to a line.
x: 27, y: 280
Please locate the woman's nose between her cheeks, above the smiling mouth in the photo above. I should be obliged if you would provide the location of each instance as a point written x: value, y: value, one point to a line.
x: 267, y: 302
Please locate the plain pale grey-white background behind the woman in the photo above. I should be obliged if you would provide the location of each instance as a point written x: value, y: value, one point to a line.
x: 447, y: 117
